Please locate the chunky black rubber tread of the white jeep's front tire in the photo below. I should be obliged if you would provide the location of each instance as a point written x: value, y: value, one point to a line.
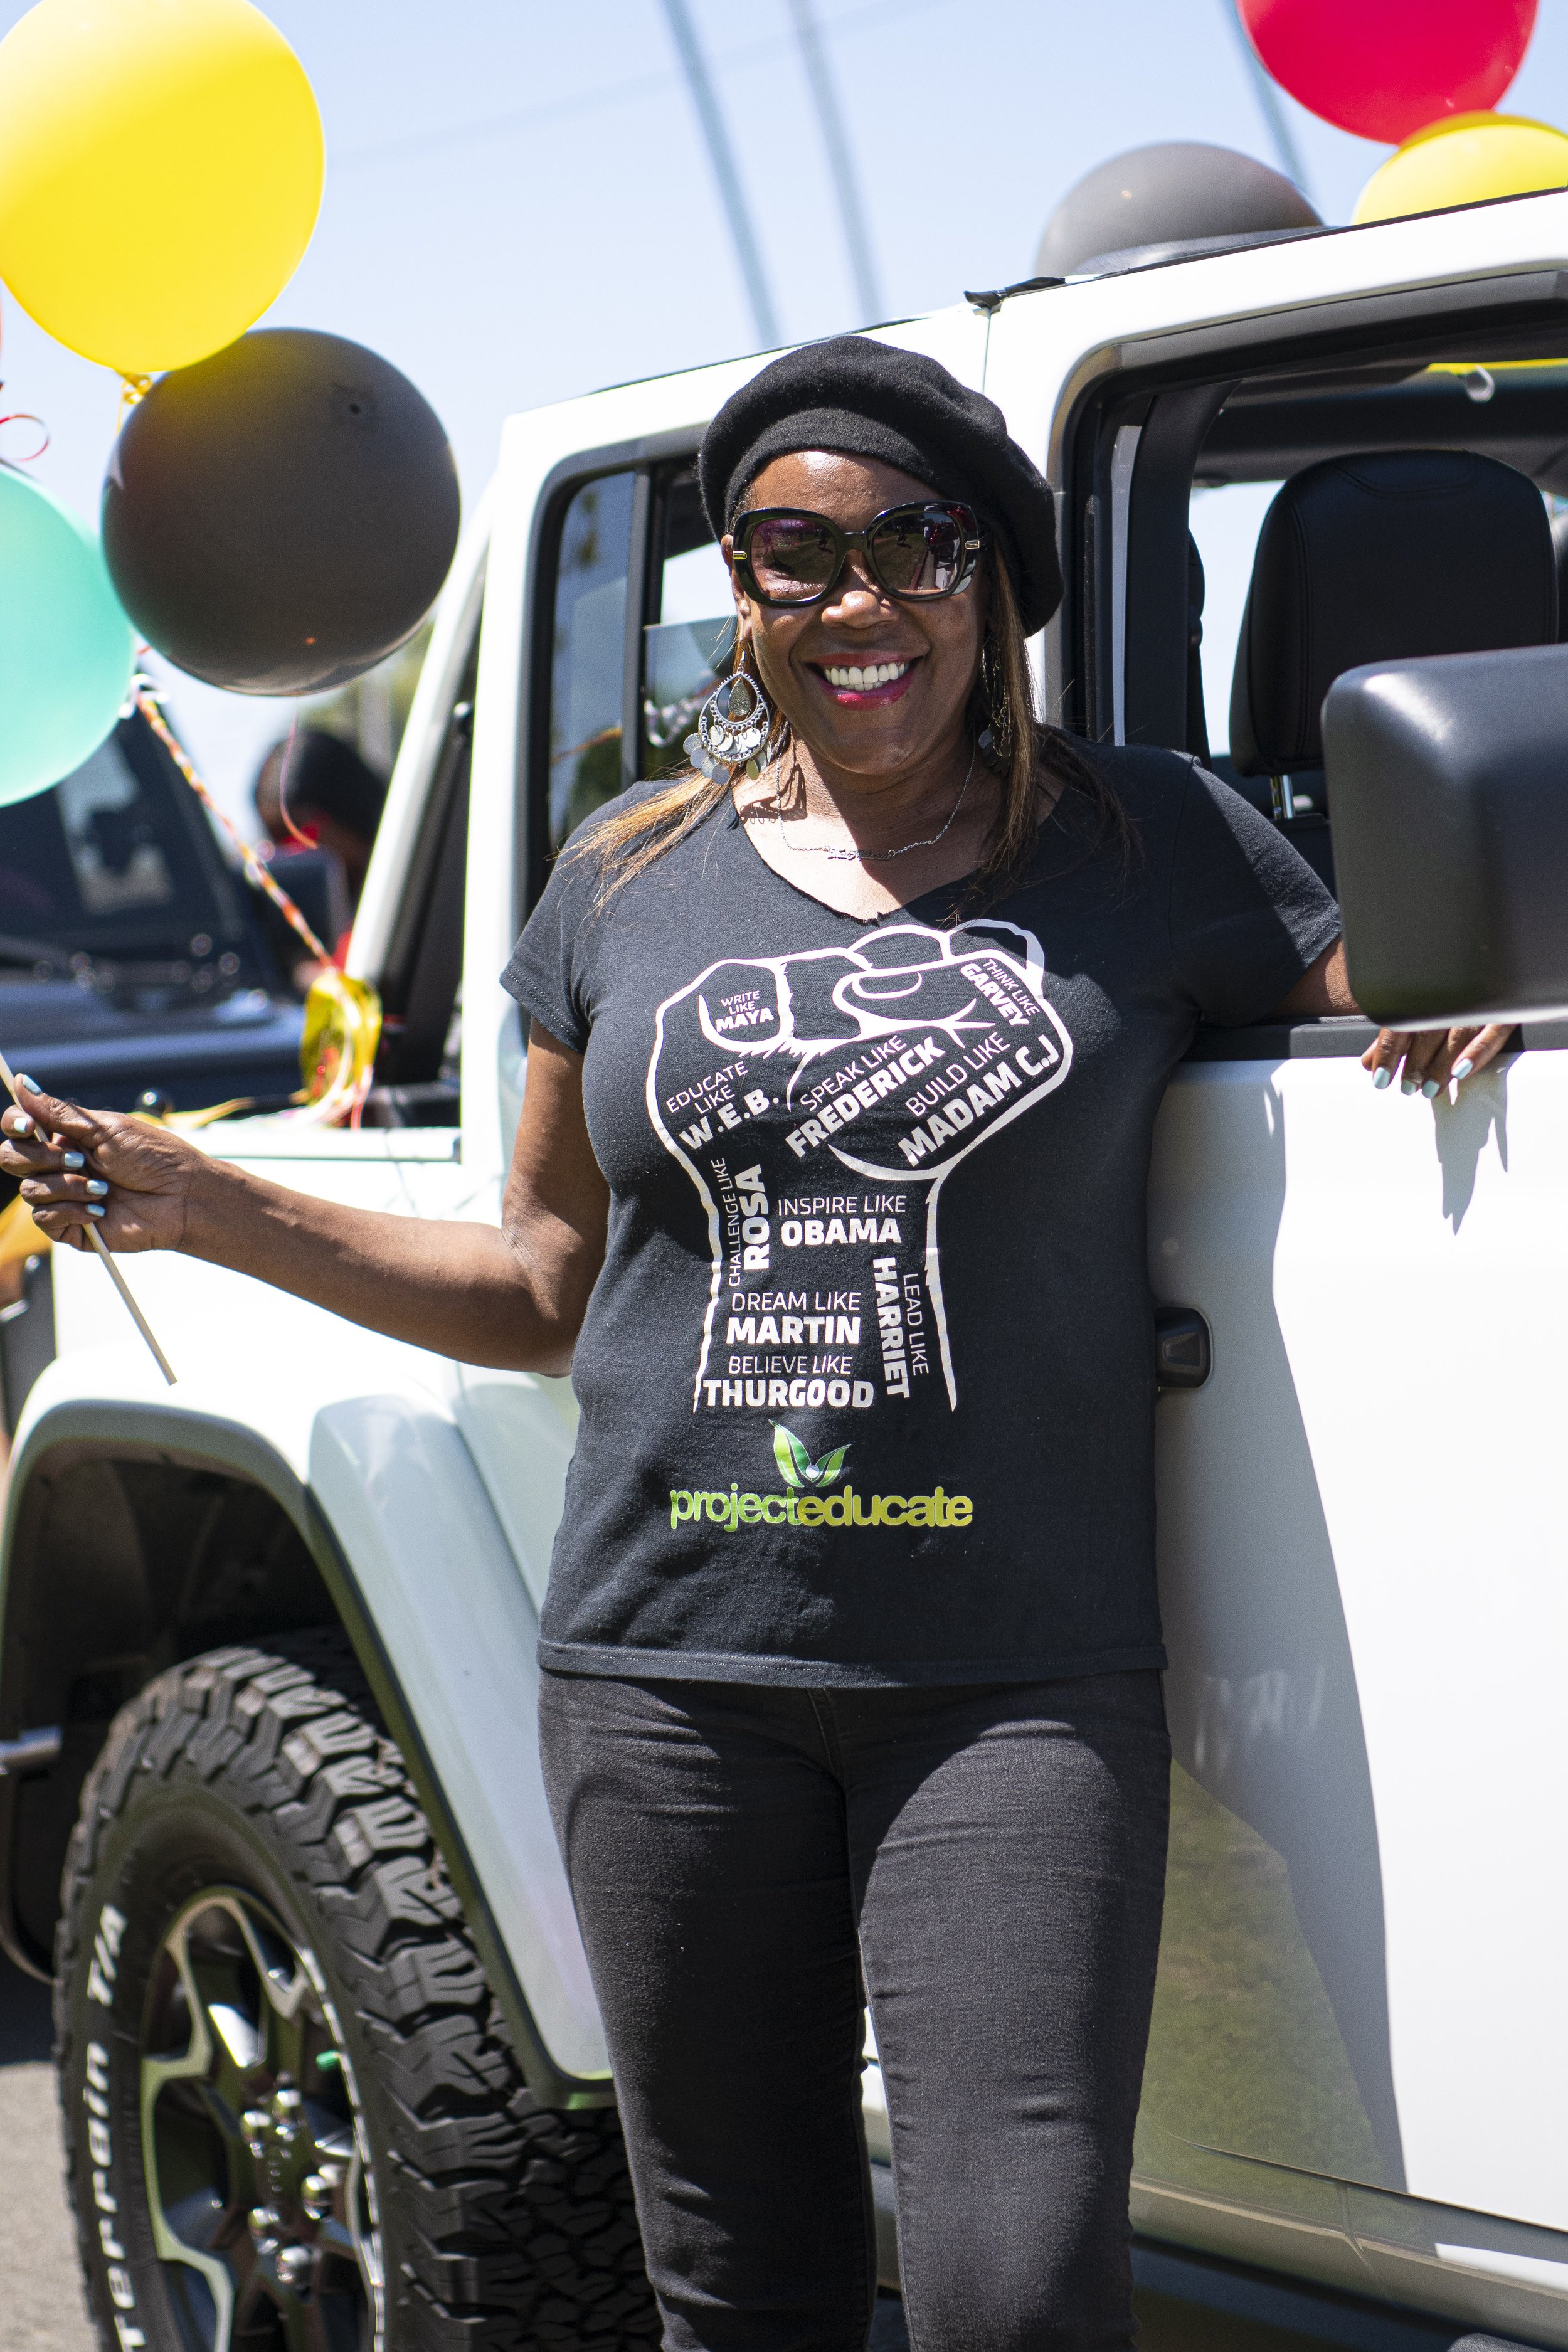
x: 511, y: 2224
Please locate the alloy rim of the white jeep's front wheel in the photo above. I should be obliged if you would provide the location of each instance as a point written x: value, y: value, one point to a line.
x: 257, y: 2167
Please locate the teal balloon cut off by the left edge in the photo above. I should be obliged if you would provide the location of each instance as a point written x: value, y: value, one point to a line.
x: 67, y: 650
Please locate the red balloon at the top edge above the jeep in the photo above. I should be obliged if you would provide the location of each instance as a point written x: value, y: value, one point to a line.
x: 1391, y: 67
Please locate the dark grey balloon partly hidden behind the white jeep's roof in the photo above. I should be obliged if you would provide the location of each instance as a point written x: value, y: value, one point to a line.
x: 1165, y: 194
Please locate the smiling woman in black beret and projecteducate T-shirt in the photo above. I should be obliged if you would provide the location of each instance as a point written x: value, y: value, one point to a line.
x: 831, y: 1191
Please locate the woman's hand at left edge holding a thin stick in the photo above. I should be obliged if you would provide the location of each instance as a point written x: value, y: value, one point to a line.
x: 98, y: 1168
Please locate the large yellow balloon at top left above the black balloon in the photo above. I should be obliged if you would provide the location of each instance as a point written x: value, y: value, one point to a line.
x: 161, y: 173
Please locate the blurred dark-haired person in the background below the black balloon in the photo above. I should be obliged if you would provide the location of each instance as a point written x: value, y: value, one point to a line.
x: 319, y: 801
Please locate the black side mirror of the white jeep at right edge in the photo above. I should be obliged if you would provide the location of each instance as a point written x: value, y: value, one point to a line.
x: 1449, y: 794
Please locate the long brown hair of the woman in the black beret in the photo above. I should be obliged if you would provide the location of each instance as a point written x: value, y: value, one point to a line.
x: 1026, y: 759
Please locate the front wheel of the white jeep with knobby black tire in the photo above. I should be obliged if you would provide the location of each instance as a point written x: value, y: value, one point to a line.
x: 495, y: 2224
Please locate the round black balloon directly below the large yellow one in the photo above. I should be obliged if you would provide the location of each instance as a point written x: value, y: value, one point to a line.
x: 281, y: 516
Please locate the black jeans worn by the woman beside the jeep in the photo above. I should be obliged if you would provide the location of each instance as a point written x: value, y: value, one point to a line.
x: 986, y: 1866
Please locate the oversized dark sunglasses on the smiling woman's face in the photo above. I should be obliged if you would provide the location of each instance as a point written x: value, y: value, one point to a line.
x: 789, y: 556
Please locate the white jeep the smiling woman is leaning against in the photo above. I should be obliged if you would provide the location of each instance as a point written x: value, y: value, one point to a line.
x: 272, y: 1808
